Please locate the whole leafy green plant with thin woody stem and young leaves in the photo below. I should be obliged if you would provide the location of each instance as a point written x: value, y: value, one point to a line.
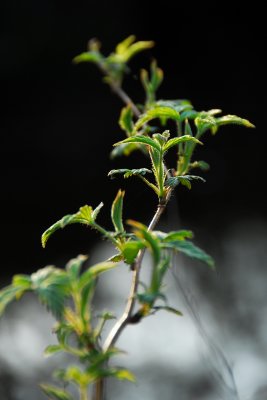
x: 69, y: 293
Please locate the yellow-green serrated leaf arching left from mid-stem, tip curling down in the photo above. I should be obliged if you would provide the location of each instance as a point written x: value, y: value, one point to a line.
x: 86, y: 215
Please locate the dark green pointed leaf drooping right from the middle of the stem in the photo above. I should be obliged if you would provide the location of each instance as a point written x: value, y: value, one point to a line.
x: 188, y: 248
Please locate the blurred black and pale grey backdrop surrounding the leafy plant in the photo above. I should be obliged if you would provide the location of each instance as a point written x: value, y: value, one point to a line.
x: 58, y: 124
